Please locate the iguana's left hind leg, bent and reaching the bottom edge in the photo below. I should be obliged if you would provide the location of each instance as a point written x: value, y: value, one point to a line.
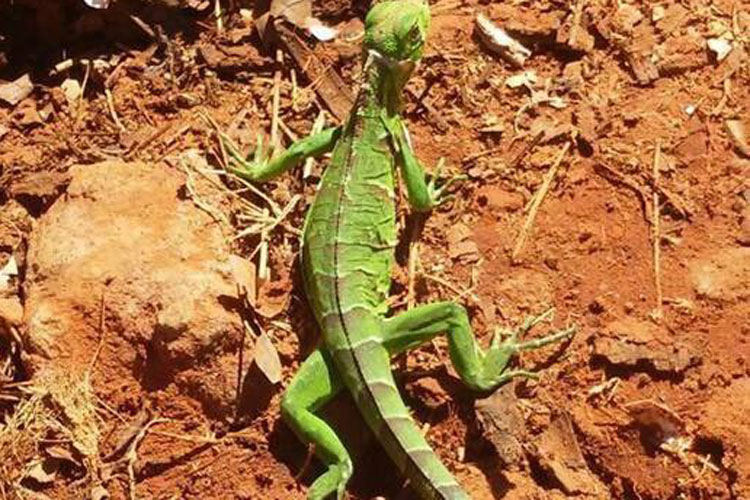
x: 313, y: 386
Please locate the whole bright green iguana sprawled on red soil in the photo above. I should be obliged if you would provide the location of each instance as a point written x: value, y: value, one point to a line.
x: 347, y: 252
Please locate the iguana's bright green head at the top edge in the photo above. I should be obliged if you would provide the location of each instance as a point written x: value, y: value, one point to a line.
x: 397, y: 29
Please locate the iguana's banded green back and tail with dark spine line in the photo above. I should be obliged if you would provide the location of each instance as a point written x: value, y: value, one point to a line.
x: 348, y: 250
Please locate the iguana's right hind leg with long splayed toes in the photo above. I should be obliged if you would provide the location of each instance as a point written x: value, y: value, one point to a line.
x: 480, y: 369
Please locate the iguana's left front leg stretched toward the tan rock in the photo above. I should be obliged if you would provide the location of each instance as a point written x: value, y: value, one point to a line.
x: 263, y: 168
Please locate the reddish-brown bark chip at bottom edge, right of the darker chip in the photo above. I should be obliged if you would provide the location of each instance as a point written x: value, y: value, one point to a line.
x: 558, y: 453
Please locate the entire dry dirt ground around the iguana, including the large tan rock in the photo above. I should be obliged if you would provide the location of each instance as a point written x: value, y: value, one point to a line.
x: 607, y: 178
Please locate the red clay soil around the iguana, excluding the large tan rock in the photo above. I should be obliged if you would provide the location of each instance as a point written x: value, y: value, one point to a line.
x: 650, y: 399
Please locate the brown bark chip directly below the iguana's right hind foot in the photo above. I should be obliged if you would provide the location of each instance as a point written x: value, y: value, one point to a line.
x: 502, y: 424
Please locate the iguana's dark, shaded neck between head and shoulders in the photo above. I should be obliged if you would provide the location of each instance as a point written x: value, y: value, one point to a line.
x: 383, y: 84
